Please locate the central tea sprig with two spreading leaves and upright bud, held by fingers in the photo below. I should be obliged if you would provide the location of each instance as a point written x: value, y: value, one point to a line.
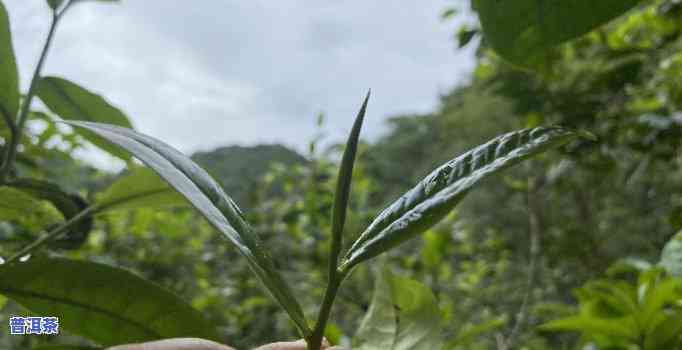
x: 417, y: 210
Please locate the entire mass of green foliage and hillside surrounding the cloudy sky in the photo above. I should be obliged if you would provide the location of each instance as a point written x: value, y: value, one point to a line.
x: 576, y: 246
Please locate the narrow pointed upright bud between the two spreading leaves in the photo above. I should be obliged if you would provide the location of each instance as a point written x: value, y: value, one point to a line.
x: 344, y: 182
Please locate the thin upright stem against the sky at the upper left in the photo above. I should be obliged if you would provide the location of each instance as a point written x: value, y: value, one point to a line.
x: 10, y: 151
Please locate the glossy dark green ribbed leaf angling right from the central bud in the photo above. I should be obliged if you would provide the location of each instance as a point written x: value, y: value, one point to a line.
x: 437, y: 194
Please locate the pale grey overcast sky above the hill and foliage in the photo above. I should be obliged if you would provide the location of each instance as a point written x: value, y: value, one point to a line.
x: 201, y: 74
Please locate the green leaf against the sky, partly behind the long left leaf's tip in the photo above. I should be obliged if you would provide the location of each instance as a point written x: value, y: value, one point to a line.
x: 72, y: 102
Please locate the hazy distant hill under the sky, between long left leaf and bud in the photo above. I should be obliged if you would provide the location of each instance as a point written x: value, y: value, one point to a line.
x: 239, y: 168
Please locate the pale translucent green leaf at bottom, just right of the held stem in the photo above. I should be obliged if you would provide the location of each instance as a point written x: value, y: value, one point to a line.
x: 404, y: 315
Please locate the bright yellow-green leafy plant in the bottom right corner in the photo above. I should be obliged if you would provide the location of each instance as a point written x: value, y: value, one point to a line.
x: 638, y: 307
